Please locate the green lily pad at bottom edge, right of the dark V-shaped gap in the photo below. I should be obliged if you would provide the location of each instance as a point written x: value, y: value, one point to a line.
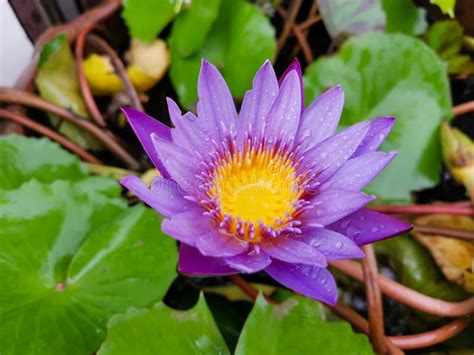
x: 295, y: 327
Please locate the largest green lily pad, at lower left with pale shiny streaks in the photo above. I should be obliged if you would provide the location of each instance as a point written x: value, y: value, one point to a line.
x: 72, y: 255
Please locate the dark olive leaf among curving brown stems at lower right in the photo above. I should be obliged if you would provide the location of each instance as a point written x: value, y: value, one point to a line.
x: 416, y: 269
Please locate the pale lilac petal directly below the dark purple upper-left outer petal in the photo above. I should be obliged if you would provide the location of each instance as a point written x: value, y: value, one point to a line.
x: 177, y: 161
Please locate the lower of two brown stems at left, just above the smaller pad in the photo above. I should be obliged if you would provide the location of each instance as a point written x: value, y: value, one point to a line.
x: 45, y: 131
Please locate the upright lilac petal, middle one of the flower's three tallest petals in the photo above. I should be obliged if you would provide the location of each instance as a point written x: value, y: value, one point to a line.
x: 257, y: 102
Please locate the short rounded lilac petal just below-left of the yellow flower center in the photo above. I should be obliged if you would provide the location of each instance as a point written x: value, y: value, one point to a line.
x: 217, y: 244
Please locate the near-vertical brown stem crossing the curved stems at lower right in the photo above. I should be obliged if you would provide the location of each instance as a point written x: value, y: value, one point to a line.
x: 374, y: 299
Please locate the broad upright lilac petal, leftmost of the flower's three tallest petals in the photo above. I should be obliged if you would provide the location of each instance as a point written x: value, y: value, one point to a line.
x: 215, y: 101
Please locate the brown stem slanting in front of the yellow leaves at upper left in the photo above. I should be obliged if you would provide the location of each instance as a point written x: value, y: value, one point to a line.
x: 103, y: 46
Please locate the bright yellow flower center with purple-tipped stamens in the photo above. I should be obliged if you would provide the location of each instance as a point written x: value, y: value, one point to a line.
x: 256, y: 192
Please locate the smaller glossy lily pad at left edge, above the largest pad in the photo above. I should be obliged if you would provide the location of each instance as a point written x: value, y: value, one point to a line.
x: 23, y: 159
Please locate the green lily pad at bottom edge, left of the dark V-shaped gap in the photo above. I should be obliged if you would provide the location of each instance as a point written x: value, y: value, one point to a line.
x: 162, y: 330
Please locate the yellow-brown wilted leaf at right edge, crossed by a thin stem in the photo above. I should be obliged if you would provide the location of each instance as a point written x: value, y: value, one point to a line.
x: 455, y: 257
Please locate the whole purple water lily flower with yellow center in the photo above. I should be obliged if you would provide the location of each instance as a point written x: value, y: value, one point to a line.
x: 271, y: 188
